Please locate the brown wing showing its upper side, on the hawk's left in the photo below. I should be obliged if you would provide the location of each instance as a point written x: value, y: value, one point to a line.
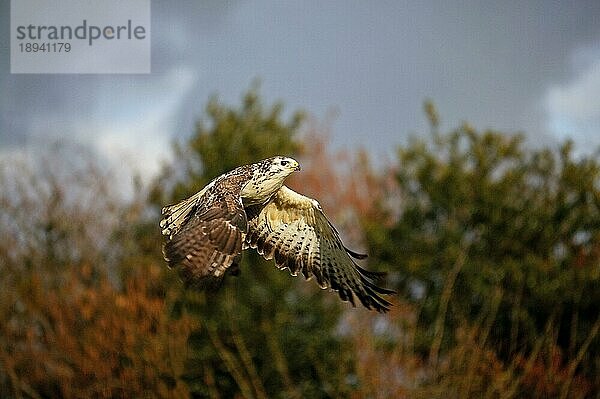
x: 205, y: 232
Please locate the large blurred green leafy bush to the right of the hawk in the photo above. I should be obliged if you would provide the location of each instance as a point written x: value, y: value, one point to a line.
x: 497, y: 235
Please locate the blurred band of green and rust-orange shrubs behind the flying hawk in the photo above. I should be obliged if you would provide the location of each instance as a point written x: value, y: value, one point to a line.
x: 492, y: 247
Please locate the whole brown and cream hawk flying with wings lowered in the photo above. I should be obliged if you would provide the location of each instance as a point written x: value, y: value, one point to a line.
x: 249, y: 207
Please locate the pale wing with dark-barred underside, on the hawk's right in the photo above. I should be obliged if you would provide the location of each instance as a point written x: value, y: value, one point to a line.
x: 292, y: 229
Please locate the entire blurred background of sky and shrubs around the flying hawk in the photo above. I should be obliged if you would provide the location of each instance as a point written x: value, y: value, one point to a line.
x: 455, y: 142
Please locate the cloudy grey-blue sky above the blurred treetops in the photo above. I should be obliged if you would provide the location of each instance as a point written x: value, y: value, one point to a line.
x: 531, y: 66
